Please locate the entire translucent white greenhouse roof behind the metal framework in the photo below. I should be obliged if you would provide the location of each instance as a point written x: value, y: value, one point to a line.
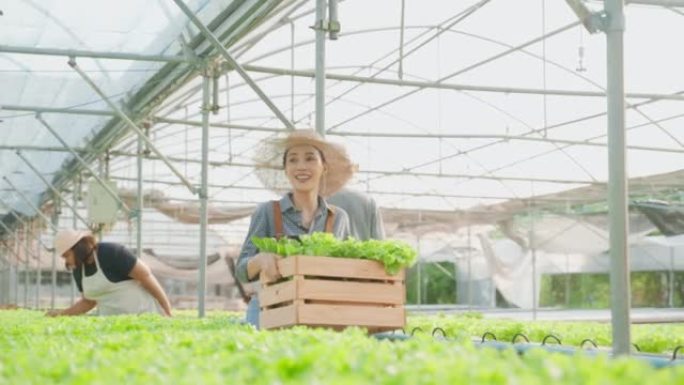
x: 450, y: 107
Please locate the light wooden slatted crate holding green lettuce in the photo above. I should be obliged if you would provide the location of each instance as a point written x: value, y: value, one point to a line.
x: 334, y: 293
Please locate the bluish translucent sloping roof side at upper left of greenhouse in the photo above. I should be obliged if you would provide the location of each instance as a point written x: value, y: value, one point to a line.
x: 88, y: 31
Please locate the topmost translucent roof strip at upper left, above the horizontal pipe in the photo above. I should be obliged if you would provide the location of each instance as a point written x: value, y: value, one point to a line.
x: 132, y: 26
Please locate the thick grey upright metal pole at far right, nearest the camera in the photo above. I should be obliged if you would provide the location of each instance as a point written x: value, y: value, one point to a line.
x: 617, y: 185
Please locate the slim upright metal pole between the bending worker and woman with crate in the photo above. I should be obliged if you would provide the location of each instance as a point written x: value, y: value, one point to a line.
x: 202, y: 283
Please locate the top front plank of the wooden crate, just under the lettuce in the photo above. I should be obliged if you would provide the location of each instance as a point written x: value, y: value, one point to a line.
x: 336, y: 267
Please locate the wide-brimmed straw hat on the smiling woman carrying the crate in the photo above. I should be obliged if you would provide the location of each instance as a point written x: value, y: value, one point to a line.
x: 269, y: 161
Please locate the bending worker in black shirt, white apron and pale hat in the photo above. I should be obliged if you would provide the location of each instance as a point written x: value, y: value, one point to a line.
x: 109, y: 276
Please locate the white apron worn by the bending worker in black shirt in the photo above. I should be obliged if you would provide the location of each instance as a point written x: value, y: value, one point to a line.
x: 125, y: 297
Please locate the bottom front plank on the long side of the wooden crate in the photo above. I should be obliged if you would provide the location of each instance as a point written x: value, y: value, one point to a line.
x: 346, y: 315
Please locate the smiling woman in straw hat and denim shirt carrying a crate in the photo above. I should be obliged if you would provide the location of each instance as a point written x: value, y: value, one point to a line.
x: 314, y: 168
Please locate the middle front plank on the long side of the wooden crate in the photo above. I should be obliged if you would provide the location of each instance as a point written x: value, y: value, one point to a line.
x: 349, y: 291
